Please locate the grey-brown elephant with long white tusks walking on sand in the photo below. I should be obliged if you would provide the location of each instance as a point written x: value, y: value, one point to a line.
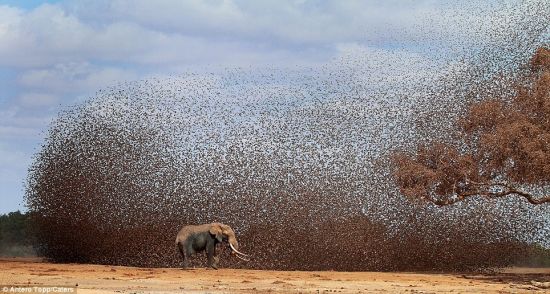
x: 197, y: 238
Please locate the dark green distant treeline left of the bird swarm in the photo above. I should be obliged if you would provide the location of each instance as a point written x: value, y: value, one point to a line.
x: 15, y: 235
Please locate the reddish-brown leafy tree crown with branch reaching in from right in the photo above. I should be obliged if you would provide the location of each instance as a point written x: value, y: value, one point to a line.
x: 503, y: 148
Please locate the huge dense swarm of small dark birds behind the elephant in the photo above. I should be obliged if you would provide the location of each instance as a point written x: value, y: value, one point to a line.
x: 295, y: 160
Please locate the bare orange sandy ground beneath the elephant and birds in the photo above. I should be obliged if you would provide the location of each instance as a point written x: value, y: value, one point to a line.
x: 119, y: 279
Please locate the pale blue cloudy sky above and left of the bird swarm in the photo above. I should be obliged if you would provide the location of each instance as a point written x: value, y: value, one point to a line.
x: 54, y: 54
